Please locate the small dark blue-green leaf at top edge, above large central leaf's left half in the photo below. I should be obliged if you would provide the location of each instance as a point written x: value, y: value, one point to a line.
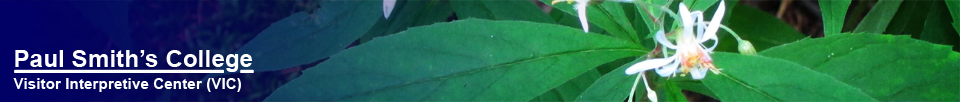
x: 408, y: 14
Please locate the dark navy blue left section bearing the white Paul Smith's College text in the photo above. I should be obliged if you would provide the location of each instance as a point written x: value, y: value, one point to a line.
x: 138, y: 50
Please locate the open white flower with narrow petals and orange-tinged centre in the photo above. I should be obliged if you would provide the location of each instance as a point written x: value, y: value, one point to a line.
x: 690, y: 54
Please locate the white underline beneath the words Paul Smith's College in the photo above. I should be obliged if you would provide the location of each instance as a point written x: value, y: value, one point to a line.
x: 124, y: 71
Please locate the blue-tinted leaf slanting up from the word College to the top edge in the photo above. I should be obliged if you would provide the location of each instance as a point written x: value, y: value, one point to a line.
x: 304, y: 38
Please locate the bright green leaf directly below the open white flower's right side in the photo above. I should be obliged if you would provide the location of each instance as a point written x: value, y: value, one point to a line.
x: 757, y: 78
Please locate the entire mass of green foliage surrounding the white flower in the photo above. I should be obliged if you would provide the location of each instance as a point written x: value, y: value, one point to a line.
x: 513, y: 51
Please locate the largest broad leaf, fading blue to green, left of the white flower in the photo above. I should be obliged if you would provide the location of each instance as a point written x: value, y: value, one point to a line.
x: 466, y: 60
